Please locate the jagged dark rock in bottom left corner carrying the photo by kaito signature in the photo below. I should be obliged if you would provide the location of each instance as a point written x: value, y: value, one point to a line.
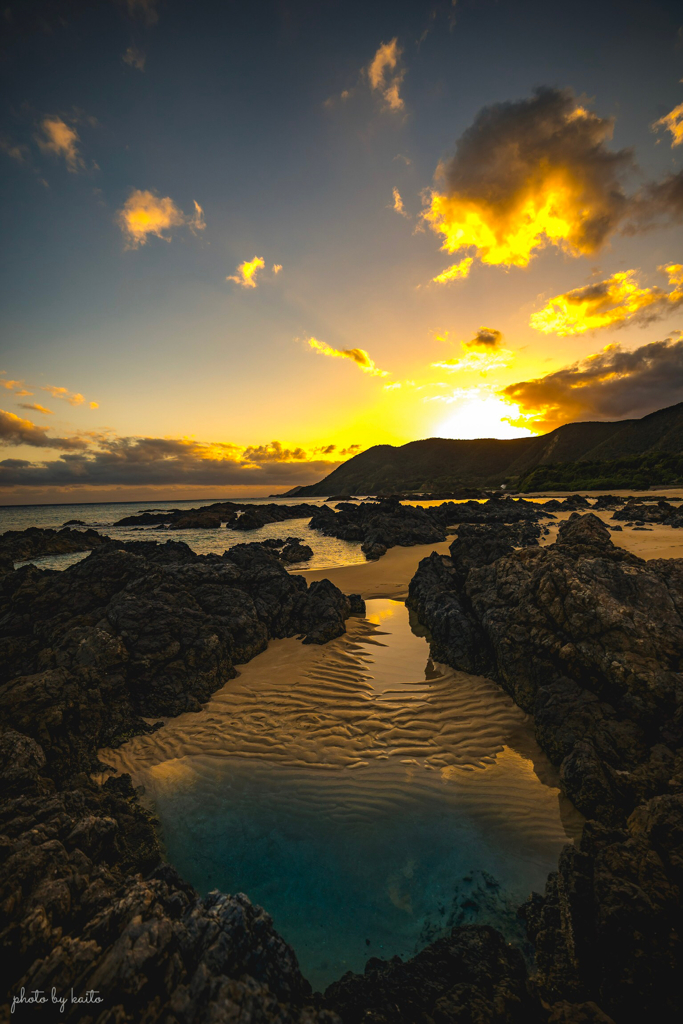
x: 78, y: 915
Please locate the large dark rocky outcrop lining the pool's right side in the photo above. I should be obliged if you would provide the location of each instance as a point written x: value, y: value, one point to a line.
x: 589, y: 639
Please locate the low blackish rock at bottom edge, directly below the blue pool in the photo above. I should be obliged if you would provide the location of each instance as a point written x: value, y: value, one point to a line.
x: 471, y: 976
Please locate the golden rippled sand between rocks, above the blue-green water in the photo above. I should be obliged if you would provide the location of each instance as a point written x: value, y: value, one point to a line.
x: 369, y: 696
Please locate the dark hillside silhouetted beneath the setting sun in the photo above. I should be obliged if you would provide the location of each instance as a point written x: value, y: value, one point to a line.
x: 440, y: 463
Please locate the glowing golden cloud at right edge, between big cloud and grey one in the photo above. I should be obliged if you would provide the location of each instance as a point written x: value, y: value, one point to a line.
x: 613, y: 304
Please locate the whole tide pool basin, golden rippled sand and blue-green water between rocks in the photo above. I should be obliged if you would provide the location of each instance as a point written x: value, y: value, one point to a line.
x: 366, y: 797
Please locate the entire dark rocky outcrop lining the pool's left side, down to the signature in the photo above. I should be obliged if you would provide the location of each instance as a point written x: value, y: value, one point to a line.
x: 133, y: 632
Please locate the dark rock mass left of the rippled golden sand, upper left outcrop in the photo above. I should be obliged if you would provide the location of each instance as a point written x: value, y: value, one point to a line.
x: 142, y: 630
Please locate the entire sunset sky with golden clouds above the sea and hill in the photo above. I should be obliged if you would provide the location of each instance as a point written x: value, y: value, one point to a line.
x: 246, y: 242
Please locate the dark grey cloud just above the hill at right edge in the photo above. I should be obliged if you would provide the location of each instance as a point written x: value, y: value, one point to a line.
x: 610, y: 386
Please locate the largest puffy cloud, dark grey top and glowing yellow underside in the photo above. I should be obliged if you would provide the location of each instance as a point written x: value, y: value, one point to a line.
x: 529, y: 175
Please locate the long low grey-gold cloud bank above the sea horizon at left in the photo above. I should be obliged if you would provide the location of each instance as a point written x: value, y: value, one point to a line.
x: 165, y: 462
